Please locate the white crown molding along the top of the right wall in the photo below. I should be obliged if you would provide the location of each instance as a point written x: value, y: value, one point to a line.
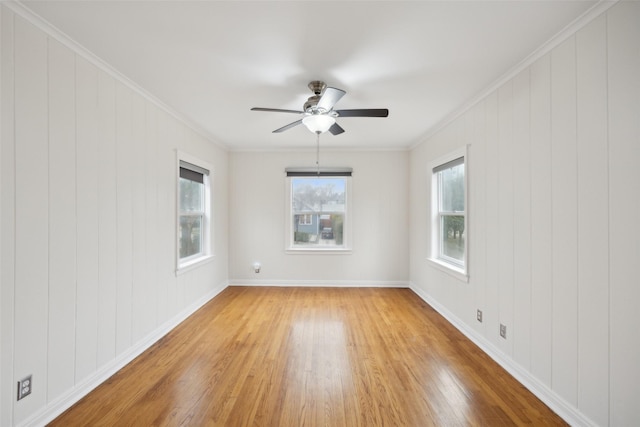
x: 568, y: 31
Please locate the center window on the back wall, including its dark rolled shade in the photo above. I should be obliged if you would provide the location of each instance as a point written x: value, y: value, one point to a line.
x: 318, y: 209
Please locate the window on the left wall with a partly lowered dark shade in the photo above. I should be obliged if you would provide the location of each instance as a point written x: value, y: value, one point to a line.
x: 193, y: 211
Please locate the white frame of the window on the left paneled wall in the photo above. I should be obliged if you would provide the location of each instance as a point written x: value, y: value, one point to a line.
x: 205, y: 254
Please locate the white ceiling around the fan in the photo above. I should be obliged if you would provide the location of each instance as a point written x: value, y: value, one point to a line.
x: 211, y: 61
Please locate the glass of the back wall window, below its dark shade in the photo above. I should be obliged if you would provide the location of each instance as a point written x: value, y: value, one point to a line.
x: 318, y: 206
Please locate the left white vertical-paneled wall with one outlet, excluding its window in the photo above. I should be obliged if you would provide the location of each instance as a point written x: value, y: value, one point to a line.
x: 88, y: 222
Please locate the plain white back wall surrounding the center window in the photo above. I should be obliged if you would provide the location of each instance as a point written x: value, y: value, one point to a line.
x: 379, y: 219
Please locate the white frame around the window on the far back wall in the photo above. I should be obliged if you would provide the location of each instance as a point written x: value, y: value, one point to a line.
x: 328, y: 173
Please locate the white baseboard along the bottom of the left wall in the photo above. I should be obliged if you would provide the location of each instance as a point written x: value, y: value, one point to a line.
x: 64, y: 402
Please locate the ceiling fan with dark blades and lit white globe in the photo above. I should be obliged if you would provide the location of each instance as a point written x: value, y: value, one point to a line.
x: 319, y: 115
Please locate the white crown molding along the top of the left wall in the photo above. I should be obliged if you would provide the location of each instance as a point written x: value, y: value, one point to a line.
x: 23, y: 11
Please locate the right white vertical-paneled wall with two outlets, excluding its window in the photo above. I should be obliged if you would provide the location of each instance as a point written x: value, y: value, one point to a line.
x: 553, y: 241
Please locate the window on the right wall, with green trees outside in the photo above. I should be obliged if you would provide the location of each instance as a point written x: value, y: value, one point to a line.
x: 449, y: 219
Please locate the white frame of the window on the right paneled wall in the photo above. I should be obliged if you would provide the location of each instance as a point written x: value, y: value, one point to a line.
x: 452, y: 266
